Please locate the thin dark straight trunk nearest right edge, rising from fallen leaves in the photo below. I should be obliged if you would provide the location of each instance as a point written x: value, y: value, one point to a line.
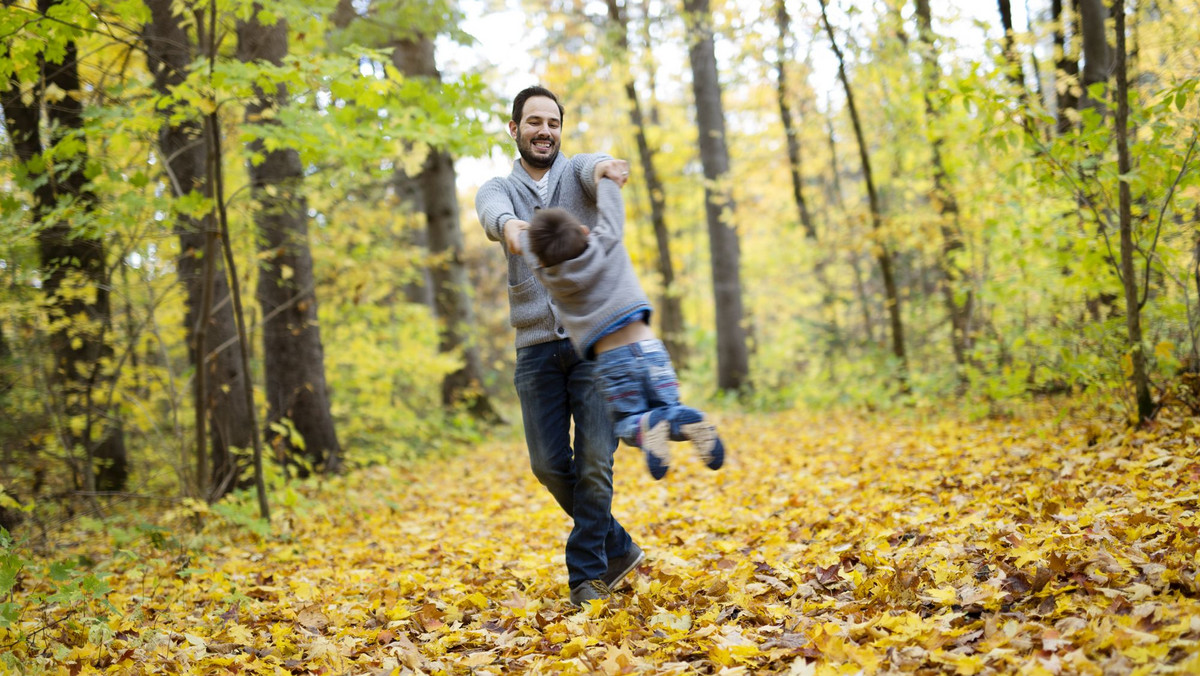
x: 1129, y: 274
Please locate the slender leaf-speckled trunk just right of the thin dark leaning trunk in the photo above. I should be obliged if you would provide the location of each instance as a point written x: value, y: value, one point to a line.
x: 946, y: 204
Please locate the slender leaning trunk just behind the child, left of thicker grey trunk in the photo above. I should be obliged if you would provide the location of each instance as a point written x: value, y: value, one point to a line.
x: 670, y: 306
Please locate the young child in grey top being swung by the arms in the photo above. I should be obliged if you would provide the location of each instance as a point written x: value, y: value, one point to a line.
x: 601, y: 302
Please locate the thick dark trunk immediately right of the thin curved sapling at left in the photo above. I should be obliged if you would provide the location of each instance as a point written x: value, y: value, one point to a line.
x: 293, y: 357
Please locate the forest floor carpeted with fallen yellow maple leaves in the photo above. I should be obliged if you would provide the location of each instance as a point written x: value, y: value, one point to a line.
x: 826, y: 546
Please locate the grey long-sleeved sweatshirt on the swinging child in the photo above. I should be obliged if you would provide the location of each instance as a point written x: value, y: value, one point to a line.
x: 597, y: 291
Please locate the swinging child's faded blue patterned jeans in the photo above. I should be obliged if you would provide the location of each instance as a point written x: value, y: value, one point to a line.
x: 638, y: 379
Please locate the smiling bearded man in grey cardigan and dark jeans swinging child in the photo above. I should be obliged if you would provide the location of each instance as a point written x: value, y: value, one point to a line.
x: 554, y: 385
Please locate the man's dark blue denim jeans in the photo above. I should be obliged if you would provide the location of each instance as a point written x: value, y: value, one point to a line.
x: 556, y: 386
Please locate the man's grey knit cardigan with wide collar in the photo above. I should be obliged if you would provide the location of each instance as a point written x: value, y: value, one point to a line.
x: 515, y: 196
